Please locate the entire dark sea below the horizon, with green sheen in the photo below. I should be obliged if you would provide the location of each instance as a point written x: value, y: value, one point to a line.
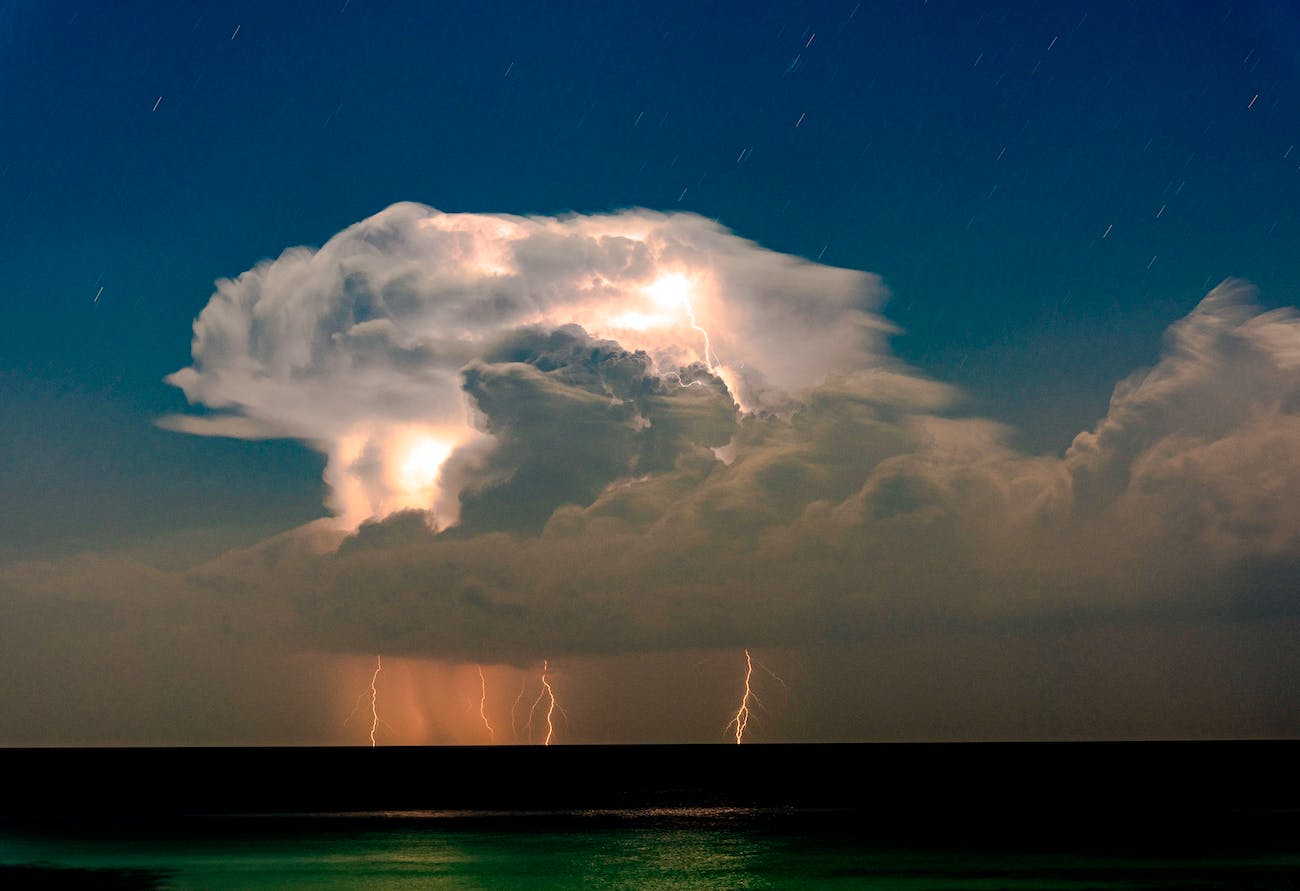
x: 935, y: 818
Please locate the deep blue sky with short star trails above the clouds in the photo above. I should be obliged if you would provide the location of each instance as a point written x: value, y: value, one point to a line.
x: 973, y: 154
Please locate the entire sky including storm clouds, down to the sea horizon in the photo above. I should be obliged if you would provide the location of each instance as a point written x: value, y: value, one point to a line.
x: 353, y: 328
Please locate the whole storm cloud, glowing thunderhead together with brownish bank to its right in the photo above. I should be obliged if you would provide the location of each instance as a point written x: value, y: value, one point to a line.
x: 608, y: 479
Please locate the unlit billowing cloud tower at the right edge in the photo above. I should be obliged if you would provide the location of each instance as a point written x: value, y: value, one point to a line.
x: 1203, y: 452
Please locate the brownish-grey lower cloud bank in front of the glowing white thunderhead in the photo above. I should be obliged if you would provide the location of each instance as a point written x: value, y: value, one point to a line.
x: 866, y: 511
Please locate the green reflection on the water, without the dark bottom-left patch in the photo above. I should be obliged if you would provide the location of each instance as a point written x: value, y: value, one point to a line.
x: 710, y: 854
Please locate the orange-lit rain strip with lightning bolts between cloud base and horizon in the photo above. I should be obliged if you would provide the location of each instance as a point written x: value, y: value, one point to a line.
x: 423, y: 700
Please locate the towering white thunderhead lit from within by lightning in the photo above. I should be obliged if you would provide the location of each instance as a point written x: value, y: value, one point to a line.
x: 413, y: 349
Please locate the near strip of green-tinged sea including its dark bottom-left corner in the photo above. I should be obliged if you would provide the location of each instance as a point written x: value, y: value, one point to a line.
x: 647, y: 849
